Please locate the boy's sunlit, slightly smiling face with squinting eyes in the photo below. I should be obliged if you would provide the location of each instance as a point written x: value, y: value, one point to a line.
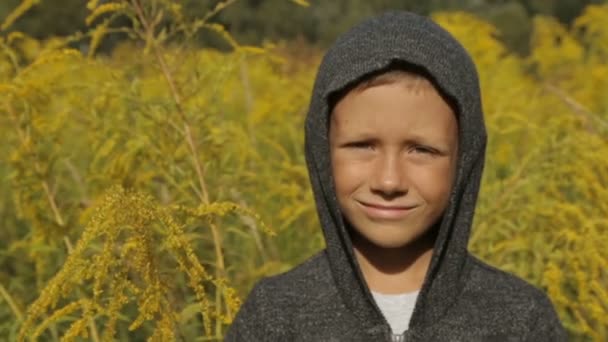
x: 393, y: 155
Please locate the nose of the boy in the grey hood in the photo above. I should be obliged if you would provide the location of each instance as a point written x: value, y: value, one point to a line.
x: 388, y: 179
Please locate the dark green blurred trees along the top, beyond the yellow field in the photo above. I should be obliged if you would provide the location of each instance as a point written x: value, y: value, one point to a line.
x: 256, y: 21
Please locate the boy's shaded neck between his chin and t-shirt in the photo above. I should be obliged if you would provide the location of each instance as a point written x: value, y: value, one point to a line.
x: 394, y: 270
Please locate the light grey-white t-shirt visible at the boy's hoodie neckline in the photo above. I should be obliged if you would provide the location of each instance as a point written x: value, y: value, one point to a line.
x: 397, y: 309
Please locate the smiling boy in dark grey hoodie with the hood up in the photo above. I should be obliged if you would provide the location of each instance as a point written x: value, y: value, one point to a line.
x: 395, y: 144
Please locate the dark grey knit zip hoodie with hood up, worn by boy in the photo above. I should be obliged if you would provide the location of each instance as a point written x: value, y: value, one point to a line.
x: 462, y: 298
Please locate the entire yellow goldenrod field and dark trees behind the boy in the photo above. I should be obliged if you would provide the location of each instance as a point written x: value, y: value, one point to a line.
x: 152, y: 159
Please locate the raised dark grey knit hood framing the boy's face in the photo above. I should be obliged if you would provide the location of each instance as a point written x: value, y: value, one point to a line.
x: 373, y: 45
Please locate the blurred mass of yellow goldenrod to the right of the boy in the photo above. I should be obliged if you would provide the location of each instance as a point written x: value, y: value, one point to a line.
x: 543, y: 212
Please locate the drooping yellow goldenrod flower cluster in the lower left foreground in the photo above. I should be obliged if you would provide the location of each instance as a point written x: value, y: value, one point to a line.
x: 118, y: 258
